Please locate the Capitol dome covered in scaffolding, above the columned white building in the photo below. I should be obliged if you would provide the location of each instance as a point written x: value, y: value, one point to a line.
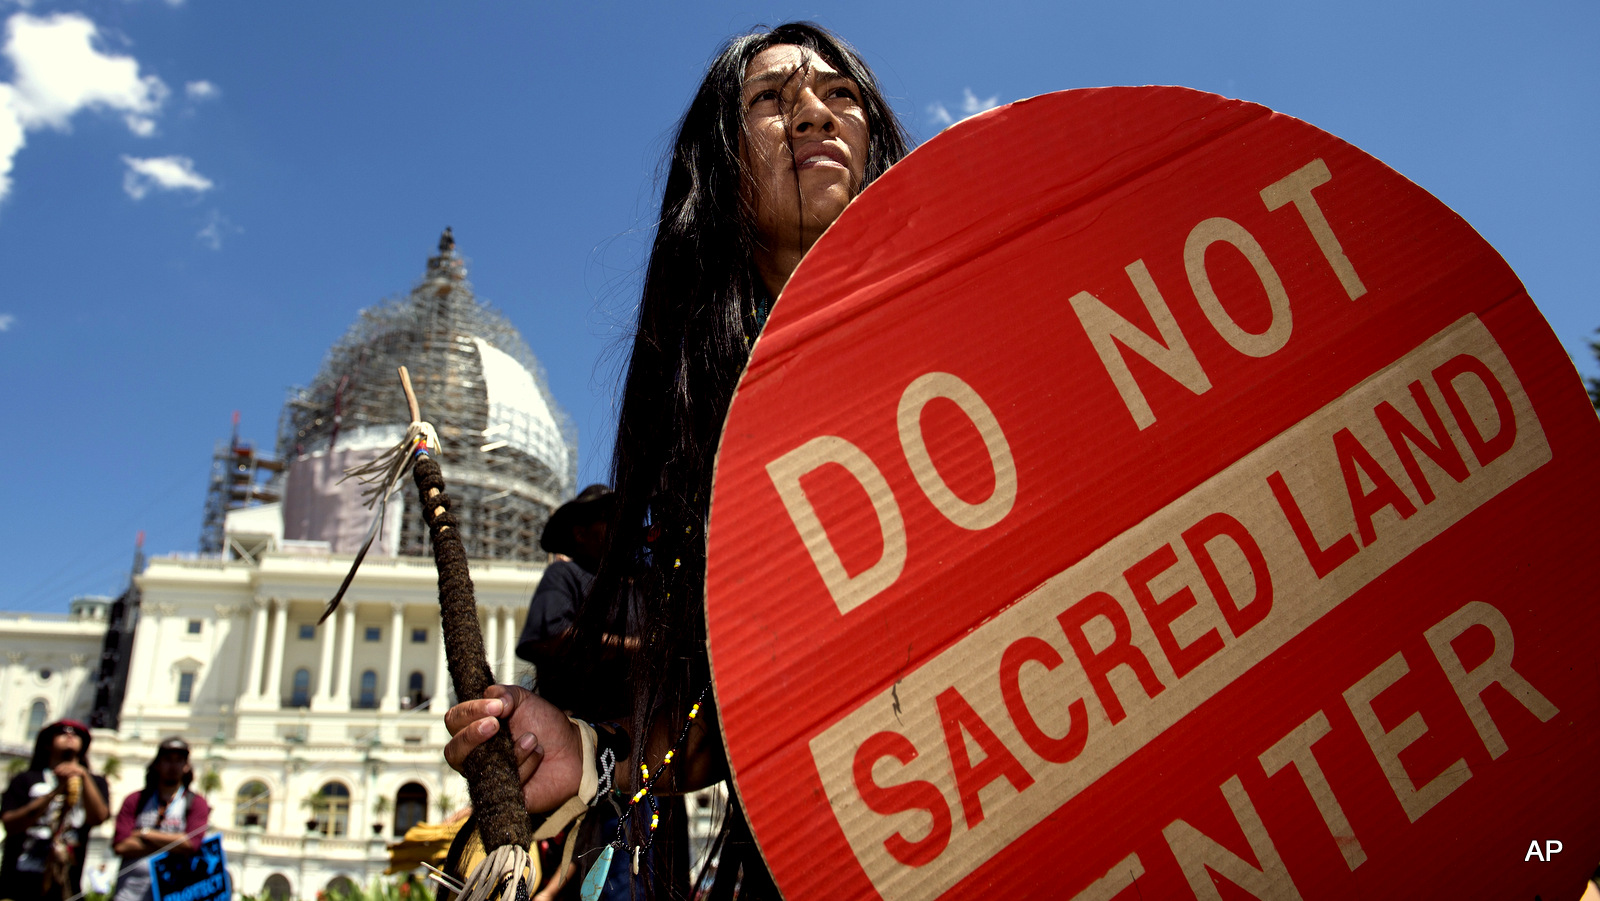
x: 510, y: 449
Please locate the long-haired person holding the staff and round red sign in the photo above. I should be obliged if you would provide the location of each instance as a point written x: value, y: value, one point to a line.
x: 785, y: 132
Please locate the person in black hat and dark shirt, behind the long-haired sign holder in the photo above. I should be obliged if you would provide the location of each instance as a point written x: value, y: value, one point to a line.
x: 596, y: 691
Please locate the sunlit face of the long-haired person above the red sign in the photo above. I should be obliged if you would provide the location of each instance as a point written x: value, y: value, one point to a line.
x: 806, y: 145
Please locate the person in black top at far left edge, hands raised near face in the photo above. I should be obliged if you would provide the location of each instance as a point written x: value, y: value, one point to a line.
x: 49, y: 812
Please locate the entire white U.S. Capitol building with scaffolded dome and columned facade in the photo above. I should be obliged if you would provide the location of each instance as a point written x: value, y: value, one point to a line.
x: 318, y: 745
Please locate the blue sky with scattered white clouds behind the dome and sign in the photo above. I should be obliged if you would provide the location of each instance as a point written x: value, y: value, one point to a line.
x: 201, y: 196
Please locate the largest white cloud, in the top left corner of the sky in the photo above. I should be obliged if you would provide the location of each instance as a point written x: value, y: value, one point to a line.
x: 58, y: 73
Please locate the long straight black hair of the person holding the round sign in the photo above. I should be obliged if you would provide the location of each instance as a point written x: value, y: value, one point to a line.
x: 703, y: 305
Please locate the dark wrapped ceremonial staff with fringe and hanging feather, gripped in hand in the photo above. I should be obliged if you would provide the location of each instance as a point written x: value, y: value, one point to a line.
x: 500, y: 823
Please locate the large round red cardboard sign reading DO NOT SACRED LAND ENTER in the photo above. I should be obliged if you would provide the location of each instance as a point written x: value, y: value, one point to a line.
x: 1140, y: 494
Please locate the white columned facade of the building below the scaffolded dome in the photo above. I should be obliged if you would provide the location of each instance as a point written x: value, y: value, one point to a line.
x: 316, y: 747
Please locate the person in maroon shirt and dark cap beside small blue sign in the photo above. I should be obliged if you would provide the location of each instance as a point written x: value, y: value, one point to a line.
x: 162, y: 817
